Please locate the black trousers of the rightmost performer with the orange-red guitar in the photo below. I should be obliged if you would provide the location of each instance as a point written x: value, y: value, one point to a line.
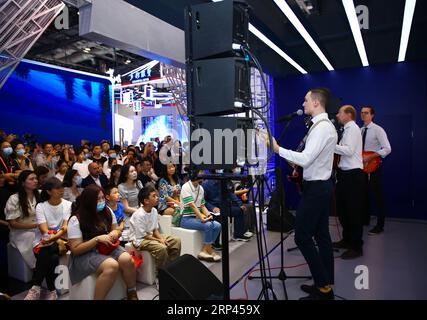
x: 374, y: 187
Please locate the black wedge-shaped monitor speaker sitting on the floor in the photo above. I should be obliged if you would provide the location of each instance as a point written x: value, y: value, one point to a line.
x: 187, y: 278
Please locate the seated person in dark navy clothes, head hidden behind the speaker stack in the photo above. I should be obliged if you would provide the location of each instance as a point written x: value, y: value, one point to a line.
x: 214, y: 201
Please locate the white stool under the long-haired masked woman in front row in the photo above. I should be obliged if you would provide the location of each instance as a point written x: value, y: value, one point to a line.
x: 85, y: 290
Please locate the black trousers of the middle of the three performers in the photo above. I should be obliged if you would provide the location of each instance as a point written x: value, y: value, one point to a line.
x: 350, y: 199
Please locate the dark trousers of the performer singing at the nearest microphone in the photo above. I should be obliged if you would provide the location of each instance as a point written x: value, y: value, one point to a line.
x: 312, y: 220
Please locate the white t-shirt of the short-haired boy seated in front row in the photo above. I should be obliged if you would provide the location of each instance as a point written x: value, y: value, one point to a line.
x: 142, y: 223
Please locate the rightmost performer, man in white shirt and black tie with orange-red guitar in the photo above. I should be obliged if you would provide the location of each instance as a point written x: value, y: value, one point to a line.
x: 375, y: 140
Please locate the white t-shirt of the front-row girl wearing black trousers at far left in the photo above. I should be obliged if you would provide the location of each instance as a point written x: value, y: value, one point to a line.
x: 53, y: 216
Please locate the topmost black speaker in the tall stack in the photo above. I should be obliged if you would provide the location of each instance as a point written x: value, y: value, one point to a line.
x: 212, y: 28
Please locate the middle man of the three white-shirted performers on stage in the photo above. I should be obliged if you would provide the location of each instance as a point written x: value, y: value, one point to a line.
x: 350, y: 185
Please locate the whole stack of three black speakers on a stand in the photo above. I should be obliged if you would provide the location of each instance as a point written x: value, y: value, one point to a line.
x: 218, y: 76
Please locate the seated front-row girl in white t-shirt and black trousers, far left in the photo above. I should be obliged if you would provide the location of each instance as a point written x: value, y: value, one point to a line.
x: 52, y: 215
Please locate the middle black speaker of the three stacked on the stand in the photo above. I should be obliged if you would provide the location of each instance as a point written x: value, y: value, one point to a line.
x: 219, y: 86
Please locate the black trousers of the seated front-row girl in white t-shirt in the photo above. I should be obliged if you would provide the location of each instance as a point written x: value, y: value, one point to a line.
x: 47, y: 260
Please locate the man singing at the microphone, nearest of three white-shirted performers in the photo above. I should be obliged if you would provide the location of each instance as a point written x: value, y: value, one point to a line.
x: 312, y: 218
